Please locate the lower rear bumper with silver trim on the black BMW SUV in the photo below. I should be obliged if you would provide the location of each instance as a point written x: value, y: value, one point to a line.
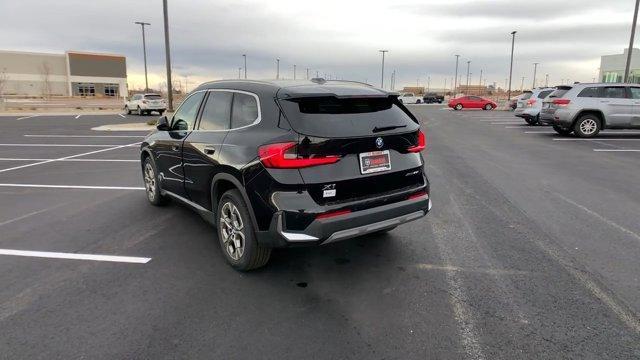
x: 346, y: 226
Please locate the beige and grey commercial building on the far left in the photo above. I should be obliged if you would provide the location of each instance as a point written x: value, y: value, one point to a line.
x: 73, y: 73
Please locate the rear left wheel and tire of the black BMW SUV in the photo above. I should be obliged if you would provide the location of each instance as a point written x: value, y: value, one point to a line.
x: 236, y: 234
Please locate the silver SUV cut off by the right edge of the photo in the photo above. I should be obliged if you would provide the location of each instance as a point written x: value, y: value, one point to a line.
x: 585, y: 109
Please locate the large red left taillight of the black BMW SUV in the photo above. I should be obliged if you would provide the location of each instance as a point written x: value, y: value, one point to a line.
x: 283, y: 156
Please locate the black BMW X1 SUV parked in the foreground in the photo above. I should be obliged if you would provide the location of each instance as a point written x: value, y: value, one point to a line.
x: 280, y: 163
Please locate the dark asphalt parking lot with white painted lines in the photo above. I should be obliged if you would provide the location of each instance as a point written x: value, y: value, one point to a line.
x: 530, y: 251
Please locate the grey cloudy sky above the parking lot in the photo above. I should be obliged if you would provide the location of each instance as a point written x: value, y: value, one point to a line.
x: 339, y: 38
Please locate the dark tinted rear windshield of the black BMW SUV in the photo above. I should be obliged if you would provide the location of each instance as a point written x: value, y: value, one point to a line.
x: 334, y: 117
